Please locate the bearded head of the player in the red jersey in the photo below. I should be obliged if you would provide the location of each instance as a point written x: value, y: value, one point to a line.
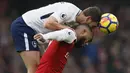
x: 84, y: 34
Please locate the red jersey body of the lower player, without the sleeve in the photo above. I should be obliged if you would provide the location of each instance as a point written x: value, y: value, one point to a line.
x: 55, y: 57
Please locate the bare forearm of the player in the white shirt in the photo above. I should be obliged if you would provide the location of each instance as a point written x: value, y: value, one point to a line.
x: 55, y: 26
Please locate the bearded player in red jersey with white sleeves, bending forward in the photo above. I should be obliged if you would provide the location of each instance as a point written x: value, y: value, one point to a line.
x: 61, y: 44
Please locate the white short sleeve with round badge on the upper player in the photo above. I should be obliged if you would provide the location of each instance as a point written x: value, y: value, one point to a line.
x: 66, y: 13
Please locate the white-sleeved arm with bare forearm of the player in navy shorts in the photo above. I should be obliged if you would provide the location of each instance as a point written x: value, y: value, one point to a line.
x: 62, y: 15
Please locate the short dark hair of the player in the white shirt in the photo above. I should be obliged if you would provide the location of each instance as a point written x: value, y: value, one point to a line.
x: 94, y: 12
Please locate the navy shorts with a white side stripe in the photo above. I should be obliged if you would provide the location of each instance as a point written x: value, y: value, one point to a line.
x: 23, y: 36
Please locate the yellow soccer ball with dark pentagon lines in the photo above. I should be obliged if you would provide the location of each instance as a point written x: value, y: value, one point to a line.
x: 109, y: 23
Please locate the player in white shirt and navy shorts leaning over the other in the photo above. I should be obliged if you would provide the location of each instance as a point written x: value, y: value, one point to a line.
x: 43, y: 20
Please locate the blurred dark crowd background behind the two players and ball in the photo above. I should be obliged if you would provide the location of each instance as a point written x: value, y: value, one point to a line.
x: 109, y: 54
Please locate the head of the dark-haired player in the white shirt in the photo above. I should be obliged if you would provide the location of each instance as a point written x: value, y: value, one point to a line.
x: 91, y: 16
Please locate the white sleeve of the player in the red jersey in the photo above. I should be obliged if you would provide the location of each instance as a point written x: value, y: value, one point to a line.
x: 66, y: 35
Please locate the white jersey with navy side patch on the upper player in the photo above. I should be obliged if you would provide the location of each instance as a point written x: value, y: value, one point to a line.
x: 62, y: 11
